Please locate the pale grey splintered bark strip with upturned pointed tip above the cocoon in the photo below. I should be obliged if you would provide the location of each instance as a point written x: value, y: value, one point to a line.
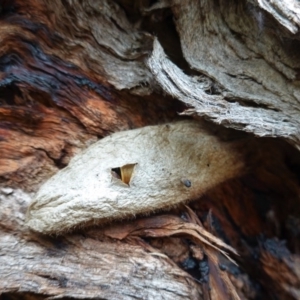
x: 260, y: 121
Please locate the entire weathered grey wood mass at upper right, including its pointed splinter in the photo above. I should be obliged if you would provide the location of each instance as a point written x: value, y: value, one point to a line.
x: 251, y: 62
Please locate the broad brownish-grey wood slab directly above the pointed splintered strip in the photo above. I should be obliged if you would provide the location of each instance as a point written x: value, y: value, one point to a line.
x: 247, y: 57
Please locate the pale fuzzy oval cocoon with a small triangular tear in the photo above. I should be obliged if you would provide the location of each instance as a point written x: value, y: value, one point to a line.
x: 169, y: 163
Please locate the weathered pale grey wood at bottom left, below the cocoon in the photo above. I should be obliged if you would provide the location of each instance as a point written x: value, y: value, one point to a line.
x: 81, y: 266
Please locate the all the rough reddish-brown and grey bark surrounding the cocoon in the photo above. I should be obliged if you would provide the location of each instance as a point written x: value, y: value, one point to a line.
x: 72, y: 72
